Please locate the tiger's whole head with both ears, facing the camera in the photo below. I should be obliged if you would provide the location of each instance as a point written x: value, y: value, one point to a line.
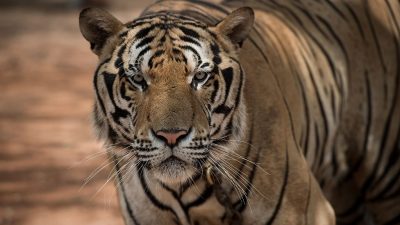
x: 168, y: 89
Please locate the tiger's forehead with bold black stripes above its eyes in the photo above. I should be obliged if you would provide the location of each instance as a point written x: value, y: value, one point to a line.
x: 153, y: 41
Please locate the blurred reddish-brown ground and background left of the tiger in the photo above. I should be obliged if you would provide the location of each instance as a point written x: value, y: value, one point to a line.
x: 47, y: 147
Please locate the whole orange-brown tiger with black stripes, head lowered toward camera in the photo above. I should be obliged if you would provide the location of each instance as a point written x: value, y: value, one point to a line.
x: 251, y: 111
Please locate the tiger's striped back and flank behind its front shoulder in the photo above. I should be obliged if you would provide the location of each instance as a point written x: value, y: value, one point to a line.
x: 342, y: 89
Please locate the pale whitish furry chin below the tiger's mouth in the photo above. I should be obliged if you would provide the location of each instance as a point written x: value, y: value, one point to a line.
x: 173, y: 171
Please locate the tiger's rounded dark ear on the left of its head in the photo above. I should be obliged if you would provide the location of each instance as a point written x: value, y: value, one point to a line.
x: 97, y: 26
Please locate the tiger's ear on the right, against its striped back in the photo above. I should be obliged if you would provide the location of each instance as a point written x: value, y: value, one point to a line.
x: 237, y: 25
